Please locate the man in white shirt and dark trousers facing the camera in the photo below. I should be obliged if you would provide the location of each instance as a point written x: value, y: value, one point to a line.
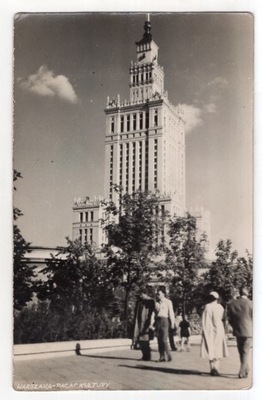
x: 165, y: 318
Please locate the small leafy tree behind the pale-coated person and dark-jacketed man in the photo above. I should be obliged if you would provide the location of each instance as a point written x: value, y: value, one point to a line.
x: 229, y: 271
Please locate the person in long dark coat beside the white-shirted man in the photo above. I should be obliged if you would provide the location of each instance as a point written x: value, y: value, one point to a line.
x: 144, y: 320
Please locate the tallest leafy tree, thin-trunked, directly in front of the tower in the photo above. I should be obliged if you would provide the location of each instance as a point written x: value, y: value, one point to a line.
x: 133, y: 228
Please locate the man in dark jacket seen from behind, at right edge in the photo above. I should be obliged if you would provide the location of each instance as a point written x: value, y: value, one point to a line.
x: 239, y: 314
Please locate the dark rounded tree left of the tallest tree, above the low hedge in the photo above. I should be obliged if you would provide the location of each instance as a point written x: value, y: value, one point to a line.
x: 75, y: 280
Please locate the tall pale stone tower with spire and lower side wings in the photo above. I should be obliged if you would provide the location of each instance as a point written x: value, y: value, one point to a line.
x: 144, y: 145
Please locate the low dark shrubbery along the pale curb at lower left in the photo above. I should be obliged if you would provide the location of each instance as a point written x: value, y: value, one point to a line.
x: 38, y: 324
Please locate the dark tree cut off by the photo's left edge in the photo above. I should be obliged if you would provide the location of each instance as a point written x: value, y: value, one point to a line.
x: 23, y: 274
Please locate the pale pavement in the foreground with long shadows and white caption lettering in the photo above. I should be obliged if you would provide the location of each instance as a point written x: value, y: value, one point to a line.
x: 120, y: 368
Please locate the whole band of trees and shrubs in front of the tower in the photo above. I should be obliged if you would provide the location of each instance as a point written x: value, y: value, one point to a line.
x: 86, y: 294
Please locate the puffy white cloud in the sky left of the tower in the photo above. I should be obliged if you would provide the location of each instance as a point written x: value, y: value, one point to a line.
x: 45, y: 83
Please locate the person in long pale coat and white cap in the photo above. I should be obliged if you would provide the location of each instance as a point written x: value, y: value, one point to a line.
x: 213, y: 342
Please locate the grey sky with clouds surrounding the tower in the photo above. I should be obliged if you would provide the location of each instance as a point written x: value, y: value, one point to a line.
x: 65, y: 66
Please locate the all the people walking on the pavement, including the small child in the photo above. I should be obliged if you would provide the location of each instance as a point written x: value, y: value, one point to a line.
x: 158, y: 317
